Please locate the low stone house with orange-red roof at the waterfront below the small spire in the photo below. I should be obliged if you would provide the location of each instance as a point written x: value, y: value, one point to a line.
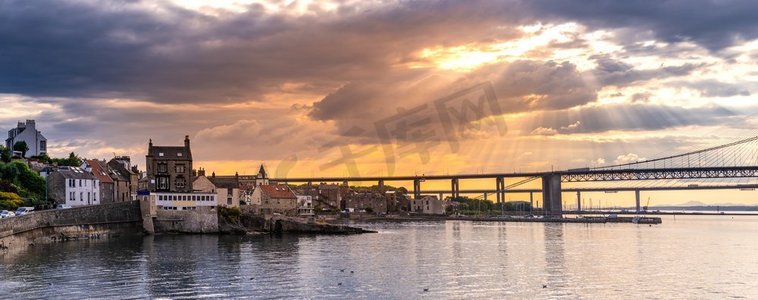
x: 275, y: 198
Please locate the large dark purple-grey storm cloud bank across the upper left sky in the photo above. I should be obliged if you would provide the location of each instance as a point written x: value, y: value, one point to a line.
x: 162, y: 53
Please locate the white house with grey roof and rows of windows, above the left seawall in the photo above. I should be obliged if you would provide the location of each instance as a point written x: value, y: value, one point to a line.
x: 73, y: 186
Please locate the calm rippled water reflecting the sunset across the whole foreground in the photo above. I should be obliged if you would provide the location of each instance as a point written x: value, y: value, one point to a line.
x: 687, y: 257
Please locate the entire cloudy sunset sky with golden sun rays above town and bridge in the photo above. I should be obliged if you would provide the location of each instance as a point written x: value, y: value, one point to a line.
x: 333, y: 88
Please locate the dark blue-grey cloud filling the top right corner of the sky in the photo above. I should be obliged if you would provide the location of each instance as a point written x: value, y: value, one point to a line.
x: 710, y: 23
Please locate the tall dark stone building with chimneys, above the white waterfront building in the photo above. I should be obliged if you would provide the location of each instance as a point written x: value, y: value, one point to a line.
x: 169, y: 168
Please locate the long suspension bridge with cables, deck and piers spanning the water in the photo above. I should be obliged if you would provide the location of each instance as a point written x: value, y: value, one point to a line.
x: 705, y: 169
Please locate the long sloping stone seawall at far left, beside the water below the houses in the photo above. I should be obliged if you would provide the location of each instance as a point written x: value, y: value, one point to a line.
x: 96, y: 221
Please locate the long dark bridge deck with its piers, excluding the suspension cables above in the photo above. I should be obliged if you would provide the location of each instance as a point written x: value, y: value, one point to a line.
x: 551, y: 181
